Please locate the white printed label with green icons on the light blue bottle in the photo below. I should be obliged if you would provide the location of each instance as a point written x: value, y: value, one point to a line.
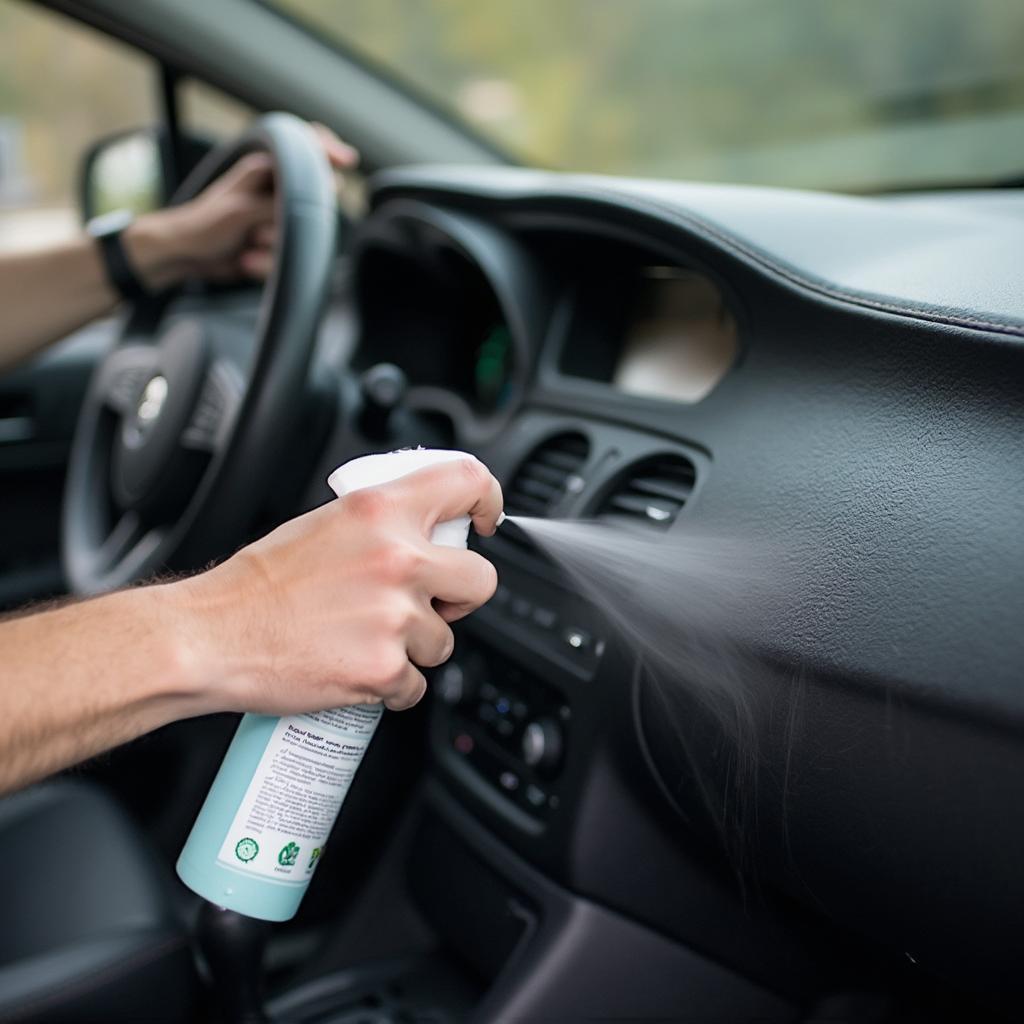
x: 281, y: 828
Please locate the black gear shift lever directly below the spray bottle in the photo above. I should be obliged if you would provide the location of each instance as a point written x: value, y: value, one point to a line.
x: 233, y: 946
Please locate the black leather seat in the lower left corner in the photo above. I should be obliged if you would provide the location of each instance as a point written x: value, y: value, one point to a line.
x: 90, y: 933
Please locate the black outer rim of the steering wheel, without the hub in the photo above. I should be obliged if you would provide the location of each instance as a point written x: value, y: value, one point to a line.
x: 241, y: 474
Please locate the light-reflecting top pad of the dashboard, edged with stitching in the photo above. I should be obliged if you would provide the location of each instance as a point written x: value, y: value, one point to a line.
x: 954, y: 258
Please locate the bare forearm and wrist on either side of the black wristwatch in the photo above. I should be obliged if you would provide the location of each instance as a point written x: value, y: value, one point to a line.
x: 49, y: 294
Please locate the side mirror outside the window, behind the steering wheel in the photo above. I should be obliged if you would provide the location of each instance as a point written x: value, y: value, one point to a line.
x: 124, y: 173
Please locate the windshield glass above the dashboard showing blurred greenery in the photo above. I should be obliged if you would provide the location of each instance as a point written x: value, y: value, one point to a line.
x: 862, y: 96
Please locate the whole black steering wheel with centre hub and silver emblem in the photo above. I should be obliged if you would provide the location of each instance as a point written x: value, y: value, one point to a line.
x: 182, y: 431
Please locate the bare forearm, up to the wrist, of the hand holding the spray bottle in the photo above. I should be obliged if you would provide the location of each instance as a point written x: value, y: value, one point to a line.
x: 88, y: 677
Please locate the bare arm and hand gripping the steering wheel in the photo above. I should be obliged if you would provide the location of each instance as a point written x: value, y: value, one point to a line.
x: 227, y: 232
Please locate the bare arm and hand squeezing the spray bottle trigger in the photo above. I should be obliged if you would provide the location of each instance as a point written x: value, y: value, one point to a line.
x: 336, y: 608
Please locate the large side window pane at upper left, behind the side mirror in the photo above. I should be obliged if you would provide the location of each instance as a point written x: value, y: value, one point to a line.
x: 63, y: 87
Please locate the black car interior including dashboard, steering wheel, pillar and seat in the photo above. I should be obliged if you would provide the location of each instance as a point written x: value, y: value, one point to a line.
x: 546, y: 837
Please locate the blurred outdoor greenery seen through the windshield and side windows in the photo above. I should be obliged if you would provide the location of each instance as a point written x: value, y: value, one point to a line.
x: 827, y: 94
